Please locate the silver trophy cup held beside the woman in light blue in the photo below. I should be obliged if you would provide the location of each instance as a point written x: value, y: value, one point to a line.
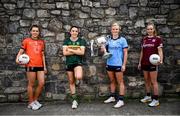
x: 102, y: 42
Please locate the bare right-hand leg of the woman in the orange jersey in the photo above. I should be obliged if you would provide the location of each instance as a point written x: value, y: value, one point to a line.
x: 41, y: 82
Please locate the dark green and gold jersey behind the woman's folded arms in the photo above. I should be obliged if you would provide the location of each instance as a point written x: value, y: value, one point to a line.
x: 74, y: 59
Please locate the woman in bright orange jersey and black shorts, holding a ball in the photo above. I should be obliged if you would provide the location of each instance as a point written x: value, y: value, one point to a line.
x: 36, y: 68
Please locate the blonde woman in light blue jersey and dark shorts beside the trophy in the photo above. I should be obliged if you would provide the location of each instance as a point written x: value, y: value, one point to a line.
x: 116, y: 65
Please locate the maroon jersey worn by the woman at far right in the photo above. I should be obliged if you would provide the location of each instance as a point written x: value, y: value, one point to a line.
x: 150, y: 46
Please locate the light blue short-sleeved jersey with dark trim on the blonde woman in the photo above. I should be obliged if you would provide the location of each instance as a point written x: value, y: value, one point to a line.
x: 115, y: 47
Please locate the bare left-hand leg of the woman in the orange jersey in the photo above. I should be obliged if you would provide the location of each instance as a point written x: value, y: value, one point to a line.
x: 31, y: 76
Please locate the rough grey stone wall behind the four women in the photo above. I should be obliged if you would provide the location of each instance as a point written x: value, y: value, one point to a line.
x: 94, y: 18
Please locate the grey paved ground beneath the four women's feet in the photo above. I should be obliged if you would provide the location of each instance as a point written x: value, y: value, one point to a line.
x: 132, y: 107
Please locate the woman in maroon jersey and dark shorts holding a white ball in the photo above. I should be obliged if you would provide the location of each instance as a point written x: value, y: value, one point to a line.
x: 151, y: 44
